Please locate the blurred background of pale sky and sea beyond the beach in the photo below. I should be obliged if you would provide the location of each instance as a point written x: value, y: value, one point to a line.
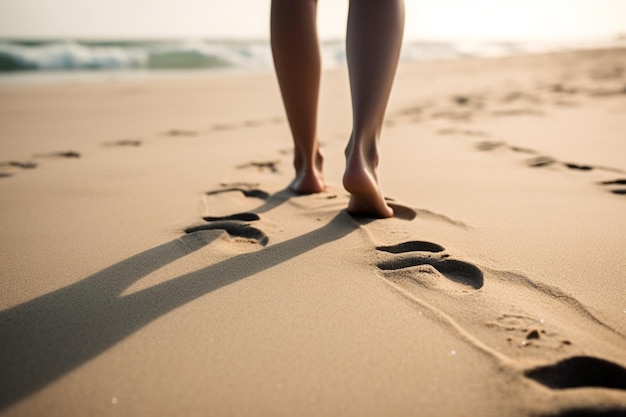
x: 45, y: 41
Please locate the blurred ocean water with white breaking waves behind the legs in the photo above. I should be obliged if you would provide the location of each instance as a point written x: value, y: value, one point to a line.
x: 49, y: 61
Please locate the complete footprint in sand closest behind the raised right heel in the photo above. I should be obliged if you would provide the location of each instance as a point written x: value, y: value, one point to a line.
x: 424, y: 264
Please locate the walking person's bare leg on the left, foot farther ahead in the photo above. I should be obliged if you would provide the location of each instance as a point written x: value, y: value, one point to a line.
x: 295, y: 48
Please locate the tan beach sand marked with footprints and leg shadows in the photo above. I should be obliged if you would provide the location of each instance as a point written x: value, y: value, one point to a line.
x: 499, y: 289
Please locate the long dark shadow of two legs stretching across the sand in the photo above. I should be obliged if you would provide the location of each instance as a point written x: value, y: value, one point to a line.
x: 45, y: 338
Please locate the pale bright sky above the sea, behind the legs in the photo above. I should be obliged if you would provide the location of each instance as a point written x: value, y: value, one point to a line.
x: 432, y: 19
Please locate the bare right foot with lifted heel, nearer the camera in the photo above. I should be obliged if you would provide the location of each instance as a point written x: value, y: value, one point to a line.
x: 361, y: 182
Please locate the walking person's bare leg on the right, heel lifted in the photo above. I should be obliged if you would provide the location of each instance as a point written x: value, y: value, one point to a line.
x: 374, y: 39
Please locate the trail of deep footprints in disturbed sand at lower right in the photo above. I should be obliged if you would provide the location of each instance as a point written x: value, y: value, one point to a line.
x: 540, y: 324
